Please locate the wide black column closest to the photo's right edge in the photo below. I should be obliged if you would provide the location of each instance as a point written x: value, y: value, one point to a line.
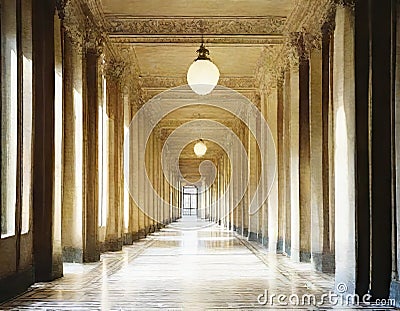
x: 381, y: 140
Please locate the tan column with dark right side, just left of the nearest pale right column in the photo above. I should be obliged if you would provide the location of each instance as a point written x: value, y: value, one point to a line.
x: 322, y: 258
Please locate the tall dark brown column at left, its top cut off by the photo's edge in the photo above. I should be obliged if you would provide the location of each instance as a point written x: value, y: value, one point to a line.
x: 47, y: 258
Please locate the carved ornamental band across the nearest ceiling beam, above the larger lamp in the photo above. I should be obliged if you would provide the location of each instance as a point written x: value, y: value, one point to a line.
x: 269, y: 25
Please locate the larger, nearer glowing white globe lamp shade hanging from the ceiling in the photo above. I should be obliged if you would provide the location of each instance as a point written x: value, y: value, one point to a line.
x: 202, y: 76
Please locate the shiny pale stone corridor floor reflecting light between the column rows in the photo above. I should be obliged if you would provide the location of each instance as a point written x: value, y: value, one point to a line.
x: 188, y: 266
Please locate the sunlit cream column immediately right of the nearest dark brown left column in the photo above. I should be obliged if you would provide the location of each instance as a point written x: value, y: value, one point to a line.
x: 72, y: 222
